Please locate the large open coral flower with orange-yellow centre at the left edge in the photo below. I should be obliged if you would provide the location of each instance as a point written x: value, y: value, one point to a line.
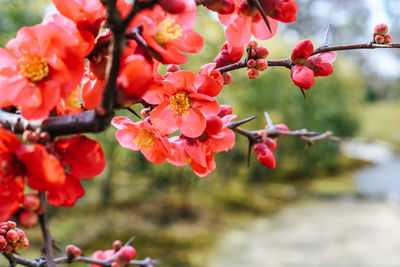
x: 43, y: 64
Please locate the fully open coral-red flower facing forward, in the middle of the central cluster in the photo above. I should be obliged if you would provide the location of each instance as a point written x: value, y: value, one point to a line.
x: 180, y: 103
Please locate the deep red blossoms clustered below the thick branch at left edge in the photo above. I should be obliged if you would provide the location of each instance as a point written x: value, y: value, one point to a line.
x: 55, y: 168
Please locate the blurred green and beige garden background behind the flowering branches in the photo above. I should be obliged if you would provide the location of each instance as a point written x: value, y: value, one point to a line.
x: 336, y: 205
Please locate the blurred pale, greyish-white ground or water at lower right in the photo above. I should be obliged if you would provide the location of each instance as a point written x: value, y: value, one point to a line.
x: 345, y: 232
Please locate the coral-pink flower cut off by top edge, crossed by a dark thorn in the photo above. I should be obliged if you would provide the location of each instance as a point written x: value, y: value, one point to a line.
x: 245, y: 22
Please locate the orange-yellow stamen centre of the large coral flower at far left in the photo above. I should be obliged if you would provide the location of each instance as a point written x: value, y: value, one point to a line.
x: 34, y: 68
